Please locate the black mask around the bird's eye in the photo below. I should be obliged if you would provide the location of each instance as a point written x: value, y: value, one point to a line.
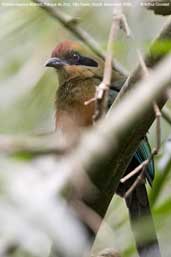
x: 74, y: 58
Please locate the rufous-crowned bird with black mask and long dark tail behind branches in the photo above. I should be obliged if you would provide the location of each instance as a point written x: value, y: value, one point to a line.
x: 80, y: 72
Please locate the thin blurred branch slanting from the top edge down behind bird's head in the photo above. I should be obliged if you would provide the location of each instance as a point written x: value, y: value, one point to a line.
x: 80, y: 33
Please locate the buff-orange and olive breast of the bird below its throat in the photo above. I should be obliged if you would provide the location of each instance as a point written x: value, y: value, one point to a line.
x: 72, y: 114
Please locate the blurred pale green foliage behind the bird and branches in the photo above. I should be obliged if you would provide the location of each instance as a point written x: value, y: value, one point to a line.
x: 27, y: 91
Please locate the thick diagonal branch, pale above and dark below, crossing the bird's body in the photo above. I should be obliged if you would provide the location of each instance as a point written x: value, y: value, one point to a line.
x: 106, y: 150
